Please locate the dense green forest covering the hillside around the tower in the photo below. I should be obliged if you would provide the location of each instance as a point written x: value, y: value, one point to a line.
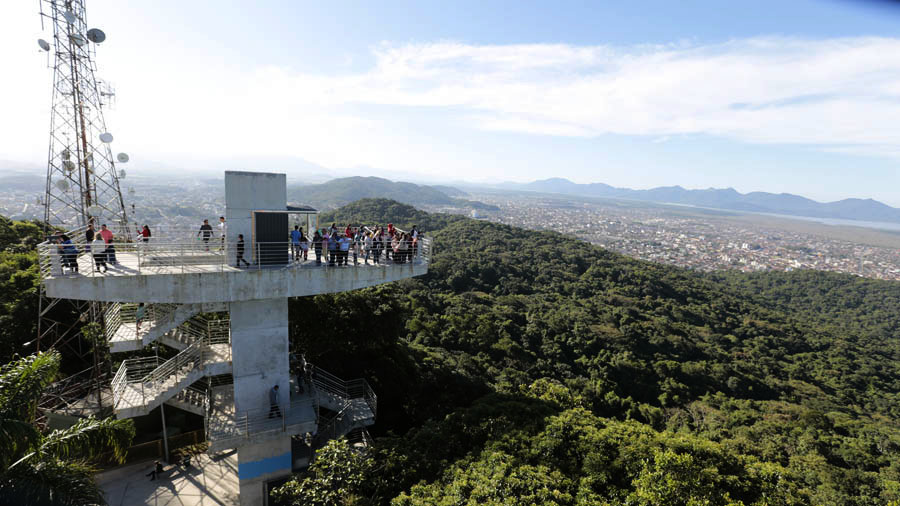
x: 533, y: 368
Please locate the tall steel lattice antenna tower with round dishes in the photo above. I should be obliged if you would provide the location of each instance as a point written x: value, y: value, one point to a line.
x: 82, y: 183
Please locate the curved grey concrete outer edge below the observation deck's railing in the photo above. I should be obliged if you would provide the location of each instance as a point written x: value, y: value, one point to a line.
x: 227, y: 286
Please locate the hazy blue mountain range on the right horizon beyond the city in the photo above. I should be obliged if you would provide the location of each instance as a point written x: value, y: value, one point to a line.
x: 728, y: 198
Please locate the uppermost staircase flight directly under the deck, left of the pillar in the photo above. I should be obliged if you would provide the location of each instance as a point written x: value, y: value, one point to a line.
x: 159, y: 320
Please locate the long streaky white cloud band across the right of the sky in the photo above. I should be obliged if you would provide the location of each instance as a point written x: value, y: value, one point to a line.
x: 767, y: 90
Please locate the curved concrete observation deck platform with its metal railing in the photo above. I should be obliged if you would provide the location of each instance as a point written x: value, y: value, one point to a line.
x: 186, y: 273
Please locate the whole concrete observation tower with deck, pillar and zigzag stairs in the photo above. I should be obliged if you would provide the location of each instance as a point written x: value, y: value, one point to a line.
x: 225, y: 326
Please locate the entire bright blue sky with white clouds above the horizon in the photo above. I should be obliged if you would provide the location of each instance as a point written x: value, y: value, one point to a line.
x: 798, y: 96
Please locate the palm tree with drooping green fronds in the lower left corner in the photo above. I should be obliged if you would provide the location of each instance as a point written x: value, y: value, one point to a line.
x: 54, y: 468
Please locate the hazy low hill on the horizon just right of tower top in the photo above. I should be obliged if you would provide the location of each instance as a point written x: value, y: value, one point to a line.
x: 342, y: 191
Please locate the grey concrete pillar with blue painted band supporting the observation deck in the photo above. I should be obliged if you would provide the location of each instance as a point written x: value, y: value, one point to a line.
x: 259, y: 351
